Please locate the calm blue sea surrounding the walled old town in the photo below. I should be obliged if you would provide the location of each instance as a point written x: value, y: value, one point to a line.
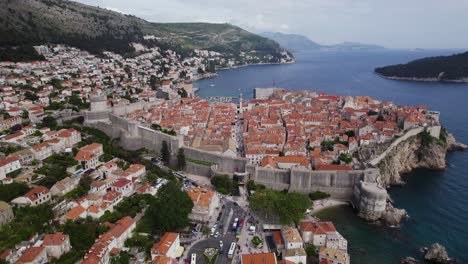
x: 436, y: 200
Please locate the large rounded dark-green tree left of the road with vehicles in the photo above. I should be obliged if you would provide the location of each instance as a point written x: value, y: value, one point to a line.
x: 170, y: 210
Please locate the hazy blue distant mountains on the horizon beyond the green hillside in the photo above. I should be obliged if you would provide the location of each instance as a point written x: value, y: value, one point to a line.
x: 297, y: 43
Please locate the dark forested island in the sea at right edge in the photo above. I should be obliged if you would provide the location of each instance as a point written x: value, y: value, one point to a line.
x: 453, y: 68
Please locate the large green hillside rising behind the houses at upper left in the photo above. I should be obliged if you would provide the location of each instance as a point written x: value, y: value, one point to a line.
x: 34, y: 22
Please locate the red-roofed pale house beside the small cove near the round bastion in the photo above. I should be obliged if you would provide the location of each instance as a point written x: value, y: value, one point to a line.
x: 316, y: 232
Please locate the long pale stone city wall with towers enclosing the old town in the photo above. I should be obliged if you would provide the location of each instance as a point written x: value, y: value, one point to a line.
x: 362, y: 188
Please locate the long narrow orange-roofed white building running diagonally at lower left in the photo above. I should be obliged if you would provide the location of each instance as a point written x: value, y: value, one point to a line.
x: 112, y: 240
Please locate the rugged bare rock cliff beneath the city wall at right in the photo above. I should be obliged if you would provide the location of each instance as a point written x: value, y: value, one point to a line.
x: 416, y: 153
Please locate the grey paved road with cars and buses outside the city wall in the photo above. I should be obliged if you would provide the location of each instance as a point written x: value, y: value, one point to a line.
x: 227, y: 235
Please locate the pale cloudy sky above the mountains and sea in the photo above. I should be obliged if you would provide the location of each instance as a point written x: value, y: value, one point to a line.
x: 391, y: 23
